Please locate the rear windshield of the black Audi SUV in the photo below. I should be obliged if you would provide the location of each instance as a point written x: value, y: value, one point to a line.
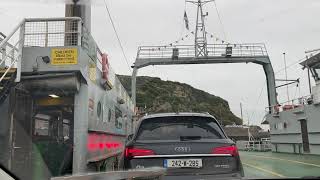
x: 179, y: 128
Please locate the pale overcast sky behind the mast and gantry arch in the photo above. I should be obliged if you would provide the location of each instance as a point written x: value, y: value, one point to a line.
x: 283, y: 25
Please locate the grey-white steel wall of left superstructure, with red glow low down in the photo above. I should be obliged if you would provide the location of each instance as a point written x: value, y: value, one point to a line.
x: 101, y: 121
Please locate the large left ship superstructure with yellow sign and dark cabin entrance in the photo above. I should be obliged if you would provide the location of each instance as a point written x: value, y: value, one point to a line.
x: 63, y: 110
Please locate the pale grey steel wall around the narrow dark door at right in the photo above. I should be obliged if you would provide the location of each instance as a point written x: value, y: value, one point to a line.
x: 289, y: 139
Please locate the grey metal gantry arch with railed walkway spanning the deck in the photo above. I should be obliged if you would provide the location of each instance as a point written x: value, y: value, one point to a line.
x: 216, y: 54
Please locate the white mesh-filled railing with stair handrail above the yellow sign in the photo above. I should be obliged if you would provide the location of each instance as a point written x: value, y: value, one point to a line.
x: 38, y: 32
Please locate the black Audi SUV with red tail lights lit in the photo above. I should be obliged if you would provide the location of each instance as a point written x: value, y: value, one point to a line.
x: 188, y: 145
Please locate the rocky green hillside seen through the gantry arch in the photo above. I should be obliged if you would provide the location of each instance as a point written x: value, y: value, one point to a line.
x: 167, y: 96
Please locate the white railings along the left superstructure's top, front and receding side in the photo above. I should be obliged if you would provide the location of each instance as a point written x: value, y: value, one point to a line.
x: 50, y: 32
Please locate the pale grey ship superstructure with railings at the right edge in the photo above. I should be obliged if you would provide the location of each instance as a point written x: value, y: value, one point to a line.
x: 294, y: 125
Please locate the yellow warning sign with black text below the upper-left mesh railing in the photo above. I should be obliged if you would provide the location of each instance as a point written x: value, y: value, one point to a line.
x: 64, y: 56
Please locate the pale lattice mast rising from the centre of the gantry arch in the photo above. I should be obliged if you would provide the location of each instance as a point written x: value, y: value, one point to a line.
x: 200, y: 40
